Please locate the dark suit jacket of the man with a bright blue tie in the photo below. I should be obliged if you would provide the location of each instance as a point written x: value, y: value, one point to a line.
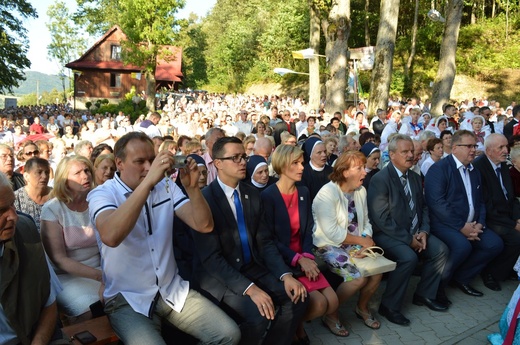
x: 220, y: 265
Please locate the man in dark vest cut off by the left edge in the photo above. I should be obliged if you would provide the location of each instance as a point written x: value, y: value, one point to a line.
x: 28, y: 310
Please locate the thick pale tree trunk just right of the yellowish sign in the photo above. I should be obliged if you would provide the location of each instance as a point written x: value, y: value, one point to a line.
x: 384, y: 55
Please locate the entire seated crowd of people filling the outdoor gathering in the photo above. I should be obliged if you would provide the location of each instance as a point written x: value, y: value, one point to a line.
x: 270, y: 203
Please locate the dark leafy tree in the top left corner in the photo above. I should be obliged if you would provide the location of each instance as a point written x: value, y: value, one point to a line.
x: 13, y: 42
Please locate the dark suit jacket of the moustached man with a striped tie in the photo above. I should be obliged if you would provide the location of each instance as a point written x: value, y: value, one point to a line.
x: 388, y: 207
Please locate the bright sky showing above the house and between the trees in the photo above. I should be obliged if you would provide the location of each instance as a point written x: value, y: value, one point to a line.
x: 39, y: 36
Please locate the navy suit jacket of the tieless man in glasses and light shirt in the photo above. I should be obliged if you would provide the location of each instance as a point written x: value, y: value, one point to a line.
x: 446, y: 196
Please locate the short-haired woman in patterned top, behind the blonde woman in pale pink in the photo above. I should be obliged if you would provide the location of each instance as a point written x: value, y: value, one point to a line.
x: 30, y: 199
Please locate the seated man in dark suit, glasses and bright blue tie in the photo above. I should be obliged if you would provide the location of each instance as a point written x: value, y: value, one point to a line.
x: 240, y: 266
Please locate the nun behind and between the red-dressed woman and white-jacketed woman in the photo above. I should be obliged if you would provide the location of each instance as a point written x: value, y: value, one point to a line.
x: 316, y: 172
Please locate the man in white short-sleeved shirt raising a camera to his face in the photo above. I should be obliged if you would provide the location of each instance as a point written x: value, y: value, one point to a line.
x: 133, y: 214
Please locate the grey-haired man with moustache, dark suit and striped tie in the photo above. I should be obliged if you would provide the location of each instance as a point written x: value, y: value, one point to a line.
x: 399, y: 218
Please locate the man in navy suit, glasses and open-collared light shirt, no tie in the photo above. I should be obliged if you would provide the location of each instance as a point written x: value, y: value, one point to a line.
x: 453, y: 191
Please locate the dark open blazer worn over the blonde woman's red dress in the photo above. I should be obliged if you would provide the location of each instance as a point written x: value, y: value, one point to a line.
x: 277, y: 218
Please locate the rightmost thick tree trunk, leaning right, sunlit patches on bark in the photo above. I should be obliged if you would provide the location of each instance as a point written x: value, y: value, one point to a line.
x: 447, y: 66
